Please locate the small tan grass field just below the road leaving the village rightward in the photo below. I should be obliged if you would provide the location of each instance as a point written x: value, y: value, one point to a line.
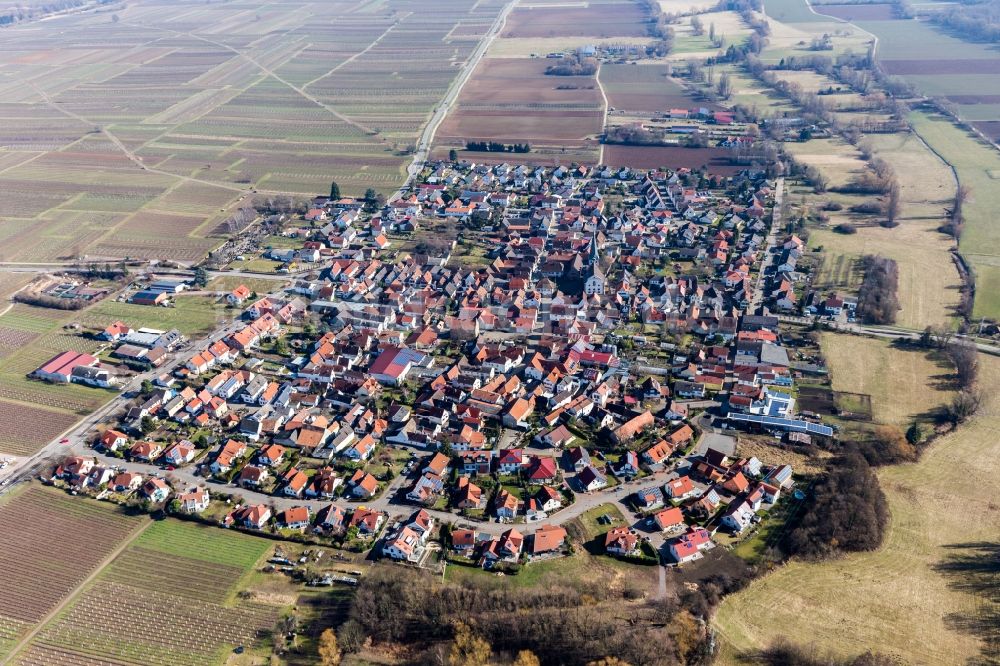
x: 902, y: 384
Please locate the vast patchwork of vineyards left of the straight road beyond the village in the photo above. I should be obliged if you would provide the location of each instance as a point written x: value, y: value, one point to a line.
x: 137, y: 135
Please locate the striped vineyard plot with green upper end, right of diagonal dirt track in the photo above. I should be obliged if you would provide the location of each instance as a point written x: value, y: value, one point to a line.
x: 172, y: 596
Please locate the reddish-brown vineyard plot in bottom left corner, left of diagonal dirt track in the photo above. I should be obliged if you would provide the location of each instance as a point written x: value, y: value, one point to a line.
x: 38, y: 577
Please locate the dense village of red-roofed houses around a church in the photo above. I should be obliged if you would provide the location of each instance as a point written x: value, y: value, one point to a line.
x: 600, y: 352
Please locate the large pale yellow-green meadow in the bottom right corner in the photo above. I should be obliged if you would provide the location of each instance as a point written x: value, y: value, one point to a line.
x: 941, y: 507
